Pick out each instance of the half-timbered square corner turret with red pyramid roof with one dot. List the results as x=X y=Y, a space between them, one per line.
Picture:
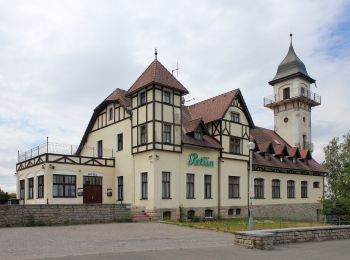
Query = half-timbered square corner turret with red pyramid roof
x=156 y=108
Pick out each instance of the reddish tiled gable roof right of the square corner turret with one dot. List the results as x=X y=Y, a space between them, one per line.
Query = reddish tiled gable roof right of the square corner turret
x=213 y=109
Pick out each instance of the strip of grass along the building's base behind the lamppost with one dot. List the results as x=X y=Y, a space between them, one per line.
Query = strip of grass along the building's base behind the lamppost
x=232 y=225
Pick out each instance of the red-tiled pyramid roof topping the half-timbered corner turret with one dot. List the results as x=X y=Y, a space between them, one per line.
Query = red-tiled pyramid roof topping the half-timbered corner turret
x=158 y=74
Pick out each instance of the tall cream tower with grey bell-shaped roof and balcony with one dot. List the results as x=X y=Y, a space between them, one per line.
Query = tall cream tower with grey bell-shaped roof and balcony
x=292 y=101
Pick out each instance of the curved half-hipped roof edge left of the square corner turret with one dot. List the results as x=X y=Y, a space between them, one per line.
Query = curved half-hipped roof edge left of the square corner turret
x=118 y=95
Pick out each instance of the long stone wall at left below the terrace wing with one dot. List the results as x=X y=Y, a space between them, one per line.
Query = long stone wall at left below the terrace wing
x=30 y=215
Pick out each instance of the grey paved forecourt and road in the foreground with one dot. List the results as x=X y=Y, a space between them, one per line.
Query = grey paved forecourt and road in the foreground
x=147 y=241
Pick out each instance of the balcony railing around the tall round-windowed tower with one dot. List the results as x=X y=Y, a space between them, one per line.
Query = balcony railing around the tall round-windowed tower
x=300 y=93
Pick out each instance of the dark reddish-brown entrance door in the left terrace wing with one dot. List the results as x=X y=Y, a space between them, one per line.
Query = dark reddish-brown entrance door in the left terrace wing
x=92 y=189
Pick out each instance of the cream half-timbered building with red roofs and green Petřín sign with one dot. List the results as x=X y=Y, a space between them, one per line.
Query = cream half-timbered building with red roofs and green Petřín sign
x=144 y=147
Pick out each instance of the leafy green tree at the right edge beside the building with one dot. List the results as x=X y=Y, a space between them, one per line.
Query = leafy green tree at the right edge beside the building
x=337 y=163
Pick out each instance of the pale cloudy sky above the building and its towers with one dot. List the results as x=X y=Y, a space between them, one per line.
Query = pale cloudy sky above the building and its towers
x=60 y=59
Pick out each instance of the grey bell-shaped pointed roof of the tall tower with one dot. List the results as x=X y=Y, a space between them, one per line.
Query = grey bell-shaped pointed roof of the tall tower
x=290 y=67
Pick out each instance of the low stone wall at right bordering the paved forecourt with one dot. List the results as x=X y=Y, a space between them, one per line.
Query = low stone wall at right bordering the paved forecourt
x=265 y=239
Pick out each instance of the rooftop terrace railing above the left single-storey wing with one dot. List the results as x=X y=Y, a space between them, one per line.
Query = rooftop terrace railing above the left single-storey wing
x=63 y=149
